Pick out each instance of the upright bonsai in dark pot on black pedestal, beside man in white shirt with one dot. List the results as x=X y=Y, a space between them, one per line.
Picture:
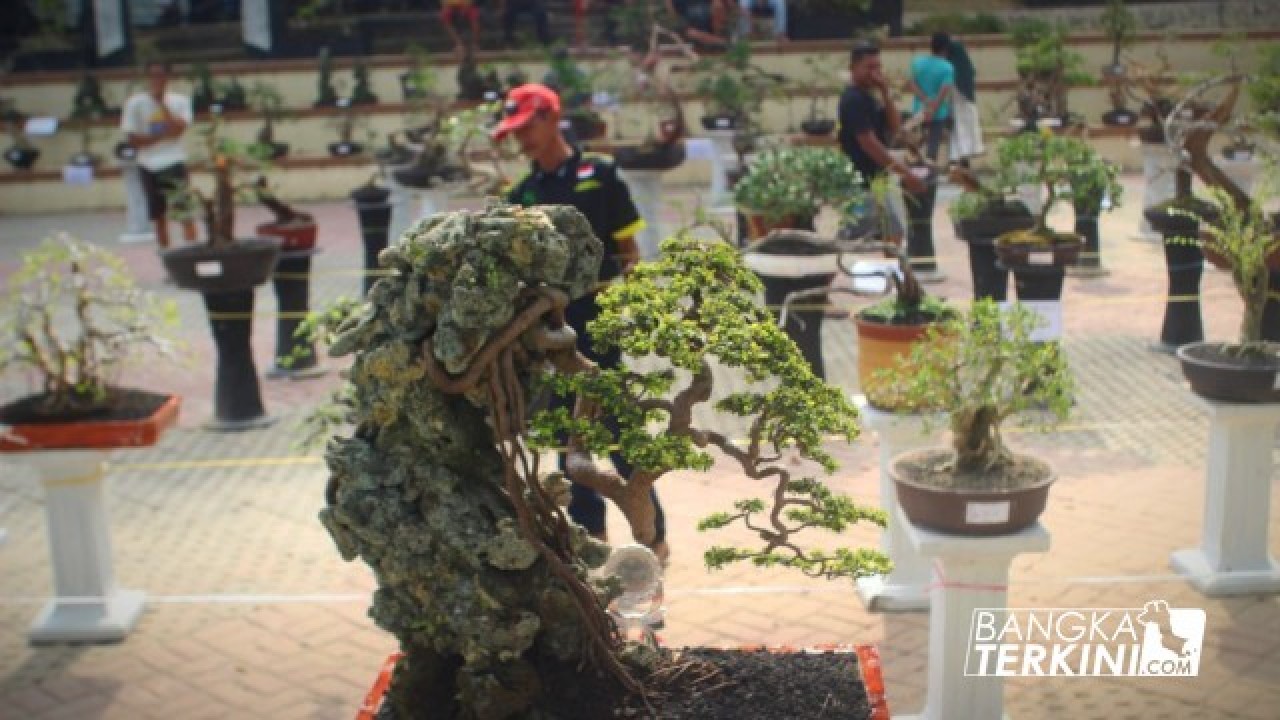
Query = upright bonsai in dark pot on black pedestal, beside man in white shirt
x=225 y=271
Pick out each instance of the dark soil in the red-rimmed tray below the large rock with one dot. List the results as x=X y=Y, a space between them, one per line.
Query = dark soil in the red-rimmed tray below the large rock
x=712 y=685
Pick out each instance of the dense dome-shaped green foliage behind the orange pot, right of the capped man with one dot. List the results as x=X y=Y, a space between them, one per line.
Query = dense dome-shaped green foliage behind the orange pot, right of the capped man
x=797 y=183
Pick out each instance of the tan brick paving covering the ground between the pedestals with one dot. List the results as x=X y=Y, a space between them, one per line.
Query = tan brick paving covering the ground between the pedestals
x=253 y=613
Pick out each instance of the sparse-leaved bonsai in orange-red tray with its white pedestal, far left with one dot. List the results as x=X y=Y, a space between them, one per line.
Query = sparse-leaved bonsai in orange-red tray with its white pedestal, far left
x=71 y=323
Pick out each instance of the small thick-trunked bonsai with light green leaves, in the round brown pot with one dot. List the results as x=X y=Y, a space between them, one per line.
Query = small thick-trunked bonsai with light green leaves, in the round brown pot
x=984 y=368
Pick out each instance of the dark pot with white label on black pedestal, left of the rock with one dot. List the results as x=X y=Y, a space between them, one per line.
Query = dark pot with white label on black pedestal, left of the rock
x=222 y=268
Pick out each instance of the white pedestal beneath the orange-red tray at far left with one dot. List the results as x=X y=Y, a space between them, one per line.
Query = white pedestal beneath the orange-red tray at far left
x=88 y=605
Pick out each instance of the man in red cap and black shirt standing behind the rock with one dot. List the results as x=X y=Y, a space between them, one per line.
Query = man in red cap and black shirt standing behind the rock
x=563 y=175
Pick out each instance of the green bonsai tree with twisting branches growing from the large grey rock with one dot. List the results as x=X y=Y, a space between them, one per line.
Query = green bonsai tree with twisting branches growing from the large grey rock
x=693 y=307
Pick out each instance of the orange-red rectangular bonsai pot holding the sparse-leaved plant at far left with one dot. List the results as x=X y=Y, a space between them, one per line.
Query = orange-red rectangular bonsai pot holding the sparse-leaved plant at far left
x=136 y=420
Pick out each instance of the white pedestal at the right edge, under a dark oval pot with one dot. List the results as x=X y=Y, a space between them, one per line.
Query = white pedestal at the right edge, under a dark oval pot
x=1233 y=557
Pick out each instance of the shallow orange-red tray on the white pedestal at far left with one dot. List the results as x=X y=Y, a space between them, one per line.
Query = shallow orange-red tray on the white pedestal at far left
x=95 y=434
